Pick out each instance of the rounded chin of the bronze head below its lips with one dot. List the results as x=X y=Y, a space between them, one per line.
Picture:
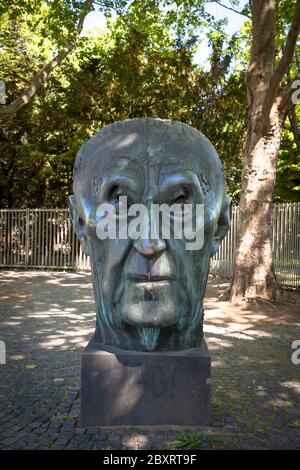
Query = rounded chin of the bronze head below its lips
x=149 y=304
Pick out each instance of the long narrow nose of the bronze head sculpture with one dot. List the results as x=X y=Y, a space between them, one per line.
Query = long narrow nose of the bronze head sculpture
x=149 y=244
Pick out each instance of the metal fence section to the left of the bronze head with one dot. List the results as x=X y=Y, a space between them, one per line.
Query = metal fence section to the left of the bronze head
x=39 y=238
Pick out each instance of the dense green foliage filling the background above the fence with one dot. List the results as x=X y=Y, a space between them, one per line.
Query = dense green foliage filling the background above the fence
x=141 y=65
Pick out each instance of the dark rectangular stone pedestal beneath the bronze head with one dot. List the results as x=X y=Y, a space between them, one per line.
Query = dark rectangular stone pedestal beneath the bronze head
x=139 y=388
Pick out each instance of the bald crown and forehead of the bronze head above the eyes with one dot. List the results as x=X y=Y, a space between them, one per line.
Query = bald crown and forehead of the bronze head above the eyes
x=149 y=151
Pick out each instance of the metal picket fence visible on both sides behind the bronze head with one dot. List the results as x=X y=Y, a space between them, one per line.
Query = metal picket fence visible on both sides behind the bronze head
x=44 y=238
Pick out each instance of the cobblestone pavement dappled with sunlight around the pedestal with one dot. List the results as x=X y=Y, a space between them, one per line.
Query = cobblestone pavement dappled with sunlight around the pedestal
x=46 y=320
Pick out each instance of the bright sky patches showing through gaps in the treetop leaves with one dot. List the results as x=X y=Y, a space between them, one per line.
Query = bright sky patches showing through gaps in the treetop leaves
x=96 y=20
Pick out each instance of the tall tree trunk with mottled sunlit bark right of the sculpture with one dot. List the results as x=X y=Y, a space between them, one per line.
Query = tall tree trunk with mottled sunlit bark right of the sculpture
x=269 y=102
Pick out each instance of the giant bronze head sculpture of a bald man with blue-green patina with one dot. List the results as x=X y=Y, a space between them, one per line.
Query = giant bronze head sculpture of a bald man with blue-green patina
x=149 y=291
